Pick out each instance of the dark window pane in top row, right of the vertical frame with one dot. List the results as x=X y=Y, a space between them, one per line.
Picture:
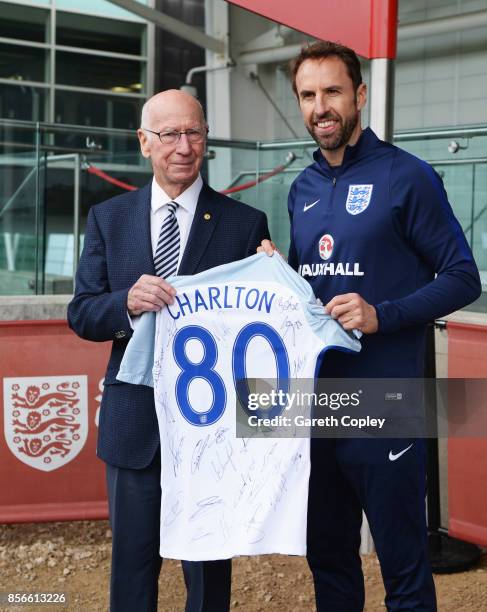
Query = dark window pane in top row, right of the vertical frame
x=98 y=33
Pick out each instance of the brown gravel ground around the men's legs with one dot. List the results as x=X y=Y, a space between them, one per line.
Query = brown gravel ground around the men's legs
x=75 y=557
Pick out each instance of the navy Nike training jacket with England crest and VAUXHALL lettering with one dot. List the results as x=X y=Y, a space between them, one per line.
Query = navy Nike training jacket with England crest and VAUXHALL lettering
x=381 y=225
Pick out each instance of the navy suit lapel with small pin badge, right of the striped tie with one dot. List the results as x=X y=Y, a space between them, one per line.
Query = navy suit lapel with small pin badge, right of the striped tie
x=205 y=220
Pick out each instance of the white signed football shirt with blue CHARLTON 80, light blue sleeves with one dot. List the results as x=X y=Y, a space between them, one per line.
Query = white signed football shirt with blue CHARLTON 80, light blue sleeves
x=224 y=496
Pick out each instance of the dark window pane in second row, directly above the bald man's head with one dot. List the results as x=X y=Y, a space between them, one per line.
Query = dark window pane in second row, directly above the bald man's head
x=98 y=72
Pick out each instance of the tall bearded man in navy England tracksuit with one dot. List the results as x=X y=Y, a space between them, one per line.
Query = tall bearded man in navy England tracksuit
x=370 y=227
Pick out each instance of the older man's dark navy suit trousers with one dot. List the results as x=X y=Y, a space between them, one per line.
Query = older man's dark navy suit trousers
x=134 y=499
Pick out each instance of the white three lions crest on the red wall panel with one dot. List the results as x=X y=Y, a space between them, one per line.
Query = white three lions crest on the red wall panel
x=45 y=419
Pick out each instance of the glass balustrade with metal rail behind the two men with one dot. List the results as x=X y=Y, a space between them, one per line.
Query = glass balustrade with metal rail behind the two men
x=39 y=160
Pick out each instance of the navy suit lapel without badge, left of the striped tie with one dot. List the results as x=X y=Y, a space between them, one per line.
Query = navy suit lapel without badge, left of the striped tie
x=141 y=231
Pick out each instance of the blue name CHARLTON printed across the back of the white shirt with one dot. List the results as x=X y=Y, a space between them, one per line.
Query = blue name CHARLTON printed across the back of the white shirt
x=212 y=298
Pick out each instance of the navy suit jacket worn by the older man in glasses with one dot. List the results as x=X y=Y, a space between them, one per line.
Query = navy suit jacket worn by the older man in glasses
x=117 y=251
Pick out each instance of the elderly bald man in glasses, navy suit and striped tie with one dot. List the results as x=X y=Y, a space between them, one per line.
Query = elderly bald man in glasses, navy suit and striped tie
x=132 y=242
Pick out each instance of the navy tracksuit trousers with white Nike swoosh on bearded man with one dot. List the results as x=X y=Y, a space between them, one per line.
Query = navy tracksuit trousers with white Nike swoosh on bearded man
x=346 y=476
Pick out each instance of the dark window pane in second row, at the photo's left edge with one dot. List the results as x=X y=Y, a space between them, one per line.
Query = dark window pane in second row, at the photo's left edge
x=22 y=63
